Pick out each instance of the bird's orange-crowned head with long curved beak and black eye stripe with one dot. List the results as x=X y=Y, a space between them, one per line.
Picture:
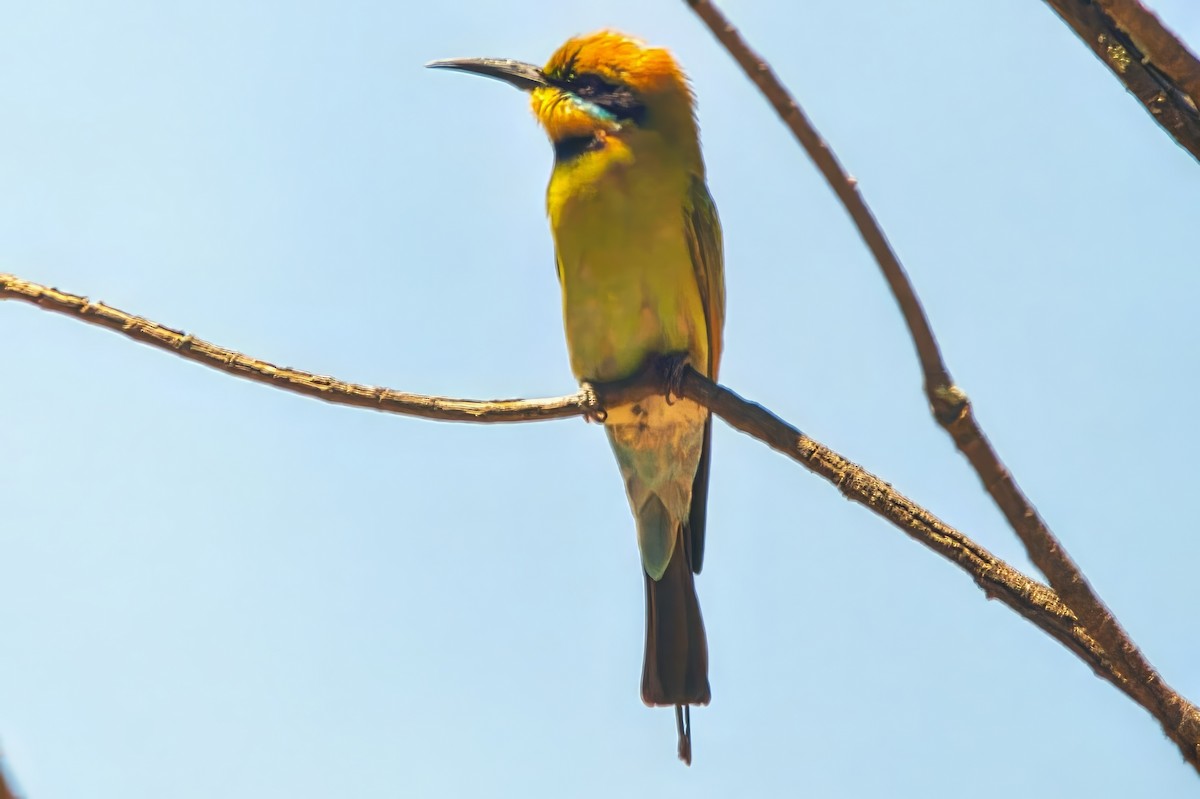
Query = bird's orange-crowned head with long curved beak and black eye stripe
x=599 y=86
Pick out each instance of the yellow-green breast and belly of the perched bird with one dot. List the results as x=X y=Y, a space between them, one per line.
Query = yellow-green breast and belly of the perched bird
x=629 y=286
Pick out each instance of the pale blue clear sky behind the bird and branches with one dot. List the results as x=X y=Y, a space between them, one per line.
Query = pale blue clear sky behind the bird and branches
x=212 y=588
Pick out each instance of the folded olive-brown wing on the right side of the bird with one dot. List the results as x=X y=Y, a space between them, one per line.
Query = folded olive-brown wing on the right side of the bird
x=704 y=232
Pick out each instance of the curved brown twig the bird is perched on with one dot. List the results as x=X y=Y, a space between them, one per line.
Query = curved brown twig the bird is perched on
x=1000 y=581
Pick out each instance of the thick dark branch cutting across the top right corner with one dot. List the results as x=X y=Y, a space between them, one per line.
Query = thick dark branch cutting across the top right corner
x=1147 y=58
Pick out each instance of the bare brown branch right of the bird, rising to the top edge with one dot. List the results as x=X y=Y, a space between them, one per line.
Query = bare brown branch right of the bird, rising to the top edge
x=952 y=410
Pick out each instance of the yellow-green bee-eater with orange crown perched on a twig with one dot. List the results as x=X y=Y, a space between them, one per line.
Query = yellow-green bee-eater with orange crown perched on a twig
x=639 y=251
